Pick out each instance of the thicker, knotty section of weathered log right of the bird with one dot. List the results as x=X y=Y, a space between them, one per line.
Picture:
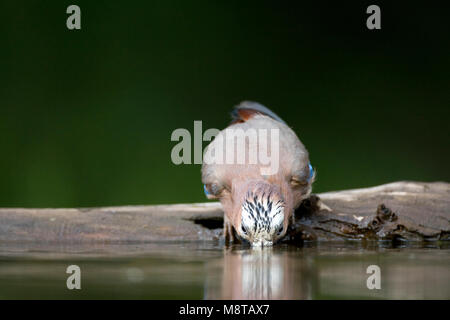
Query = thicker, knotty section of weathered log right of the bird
x=395 y=211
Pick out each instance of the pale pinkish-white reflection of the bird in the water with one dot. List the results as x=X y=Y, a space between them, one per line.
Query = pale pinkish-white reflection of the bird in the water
x=260 y=274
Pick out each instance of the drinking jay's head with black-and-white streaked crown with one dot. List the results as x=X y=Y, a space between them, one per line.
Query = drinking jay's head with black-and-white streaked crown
x=261 y=218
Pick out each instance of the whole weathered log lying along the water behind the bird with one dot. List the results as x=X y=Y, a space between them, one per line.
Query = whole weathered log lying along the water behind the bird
x=396 y=211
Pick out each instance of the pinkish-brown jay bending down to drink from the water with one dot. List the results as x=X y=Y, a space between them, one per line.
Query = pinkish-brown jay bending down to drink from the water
x=258 y=205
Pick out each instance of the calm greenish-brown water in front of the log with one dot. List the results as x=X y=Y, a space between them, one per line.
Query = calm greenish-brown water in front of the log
x=210 y=271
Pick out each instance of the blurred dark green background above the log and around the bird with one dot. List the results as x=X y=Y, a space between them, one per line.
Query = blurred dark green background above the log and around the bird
x=86 y=116
